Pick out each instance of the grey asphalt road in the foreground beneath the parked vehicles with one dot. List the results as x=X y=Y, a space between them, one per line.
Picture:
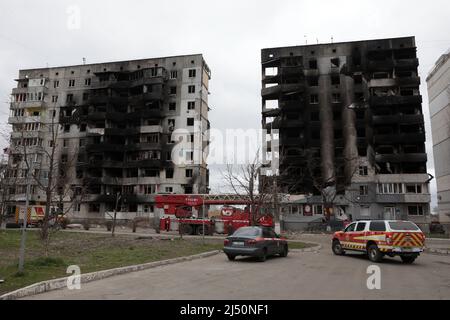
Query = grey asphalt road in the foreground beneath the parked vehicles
x=302 y=275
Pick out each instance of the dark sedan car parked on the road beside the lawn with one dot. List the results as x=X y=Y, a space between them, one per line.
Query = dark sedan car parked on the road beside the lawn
x=259 y=242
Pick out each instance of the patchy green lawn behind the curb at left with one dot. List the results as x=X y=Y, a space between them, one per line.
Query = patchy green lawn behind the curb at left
x=91 y=252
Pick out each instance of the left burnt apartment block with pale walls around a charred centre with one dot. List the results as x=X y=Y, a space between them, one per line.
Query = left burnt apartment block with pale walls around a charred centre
x=116 y=133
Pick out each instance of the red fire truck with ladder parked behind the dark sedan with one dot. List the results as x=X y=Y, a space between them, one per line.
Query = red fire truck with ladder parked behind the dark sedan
x=175 y=211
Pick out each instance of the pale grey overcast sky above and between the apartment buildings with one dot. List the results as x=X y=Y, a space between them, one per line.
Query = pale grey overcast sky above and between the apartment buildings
x=228 y=33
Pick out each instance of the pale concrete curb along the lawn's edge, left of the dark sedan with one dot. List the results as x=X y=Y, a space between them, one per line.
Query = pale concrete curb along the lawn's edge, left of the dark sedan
x=60 y=283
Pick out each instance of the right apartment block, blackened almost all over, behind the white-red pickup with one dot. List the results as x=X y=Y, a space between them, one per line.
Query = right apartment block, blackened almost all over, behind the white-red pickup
x=347 y=118
